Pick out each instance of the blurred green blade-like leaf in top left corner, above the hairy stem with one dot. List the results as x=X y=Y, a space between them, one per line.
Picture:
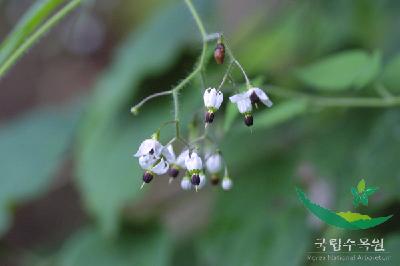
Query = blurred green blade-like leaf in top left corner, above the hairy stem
x=37 y=13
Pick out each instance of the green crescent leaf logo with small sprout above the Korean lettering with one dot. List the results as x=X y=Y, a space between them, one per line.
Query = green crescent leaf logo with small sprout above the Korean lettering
x=346 y=220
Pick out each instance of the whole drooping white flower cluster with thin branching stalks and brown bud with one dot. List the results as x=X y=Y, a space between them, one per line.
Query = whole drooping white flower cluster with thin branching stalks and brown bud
x=195 y=164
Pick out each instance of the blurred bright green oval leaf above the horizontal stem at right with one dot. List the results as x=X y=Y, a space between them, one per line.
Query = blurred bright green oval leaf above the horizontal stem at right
x=342 y=71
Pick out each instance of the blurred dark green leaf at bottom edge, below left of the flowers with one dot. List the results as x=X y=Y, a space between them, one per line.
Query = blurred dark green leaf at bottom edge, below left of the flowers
x=147 y=247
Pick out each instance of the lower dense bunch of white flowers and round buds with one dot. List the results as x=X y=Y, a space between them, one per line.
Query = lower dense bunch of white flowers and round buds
x=156 y=159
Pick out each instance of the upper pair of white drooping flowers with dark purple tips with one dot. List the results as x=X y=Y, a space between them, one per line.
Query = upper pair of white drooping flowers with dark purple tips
x=213 y=99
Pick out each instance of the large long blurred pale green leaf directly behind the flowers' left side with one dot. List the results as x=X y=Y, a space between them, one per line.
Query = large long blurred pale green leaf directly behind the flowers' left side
x=107 y=174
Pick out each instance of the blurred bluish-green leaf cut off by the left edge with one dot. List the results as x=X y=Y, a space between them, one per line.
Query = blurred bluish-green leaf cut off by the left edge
x=31 y=150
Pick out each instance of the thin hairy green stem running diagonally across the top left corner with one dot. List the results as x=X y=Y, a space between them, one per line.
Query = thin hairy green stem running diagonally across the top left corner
x=41 y=31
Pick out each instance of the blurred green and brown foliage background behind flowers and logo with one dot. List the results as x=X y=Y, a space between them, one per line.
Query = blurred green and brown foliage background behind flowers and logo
x=69 y=187
